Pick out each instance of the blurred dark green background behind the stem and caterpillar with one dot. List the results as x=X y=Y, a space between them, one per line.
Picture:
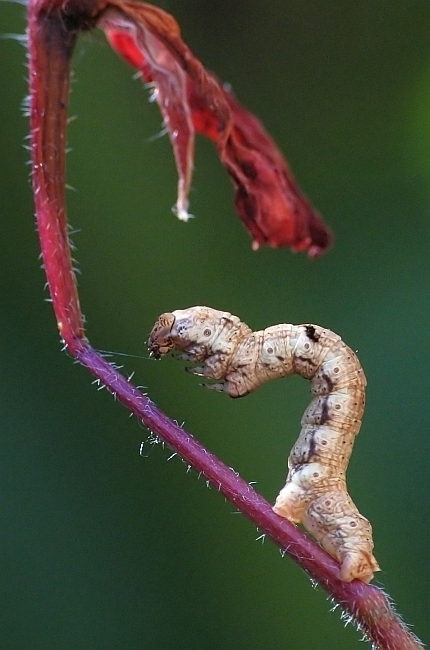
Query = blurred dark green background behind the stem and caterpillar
x=102 y=548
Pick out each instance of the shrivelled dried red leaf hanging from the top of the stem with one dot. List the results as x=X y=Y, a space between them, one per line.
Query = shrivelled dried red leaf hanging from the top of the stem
x=192 y=100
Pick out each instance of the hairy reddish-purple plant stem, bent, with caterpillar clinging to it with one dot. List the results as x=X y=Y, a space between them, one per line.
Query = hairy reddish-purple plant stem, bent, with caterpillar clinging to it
x=52 y=32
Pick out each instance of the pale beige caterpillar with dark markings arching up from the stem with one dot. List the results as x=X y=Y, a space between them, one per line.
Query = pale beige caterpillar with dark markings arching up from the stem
x=240 y=360
